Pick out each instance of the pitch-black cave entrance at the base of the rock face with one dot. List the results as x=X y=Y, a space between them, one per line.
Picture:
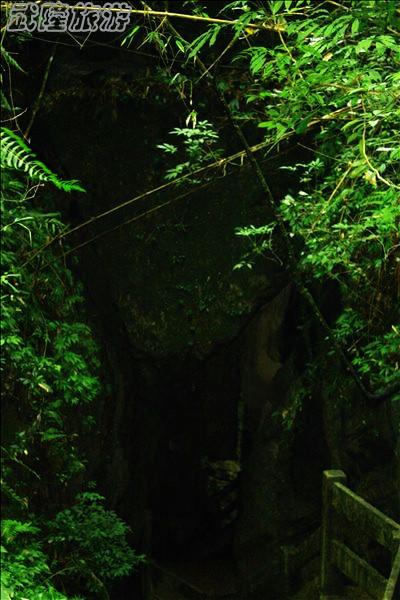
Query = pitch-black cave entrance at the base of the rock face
x=194 y=496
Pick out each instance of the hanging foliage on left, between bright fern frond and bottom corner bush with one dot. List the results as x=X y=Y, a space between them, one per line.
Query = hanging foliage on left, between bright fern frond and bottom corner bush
x=49 y=360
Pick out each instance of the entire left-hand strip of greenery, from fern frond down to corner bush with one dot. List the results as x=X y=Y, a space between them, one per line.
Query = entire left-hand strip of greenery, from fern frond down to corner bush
x=50 y=368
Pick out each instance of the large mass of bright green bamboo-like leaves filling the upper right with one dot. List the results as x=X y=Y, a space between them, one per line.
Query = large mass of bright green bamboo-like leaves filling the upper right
x=325 y=77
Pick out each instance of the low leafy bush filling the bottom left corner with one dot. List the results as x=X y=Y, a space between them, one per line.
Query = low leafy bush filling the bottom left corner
x=84 y=545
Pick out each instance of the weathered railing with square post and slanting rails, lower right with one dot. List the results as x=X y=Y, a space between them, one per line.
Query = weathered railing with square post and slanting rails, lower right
x=336 y=555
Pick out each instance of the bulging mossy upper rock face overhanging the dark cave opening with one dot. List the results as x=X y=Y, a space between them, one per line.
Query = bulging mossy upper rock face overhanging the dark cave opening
x=162 y=285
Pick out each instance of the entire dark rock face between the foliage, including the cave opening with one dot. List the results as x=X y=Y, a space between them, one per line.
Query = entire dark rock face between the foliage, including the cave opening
x=202 y=360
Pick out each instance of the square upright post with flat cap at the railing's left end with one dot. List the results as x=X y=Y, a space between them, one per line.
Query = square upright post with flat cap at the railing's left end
x=327 y=578
